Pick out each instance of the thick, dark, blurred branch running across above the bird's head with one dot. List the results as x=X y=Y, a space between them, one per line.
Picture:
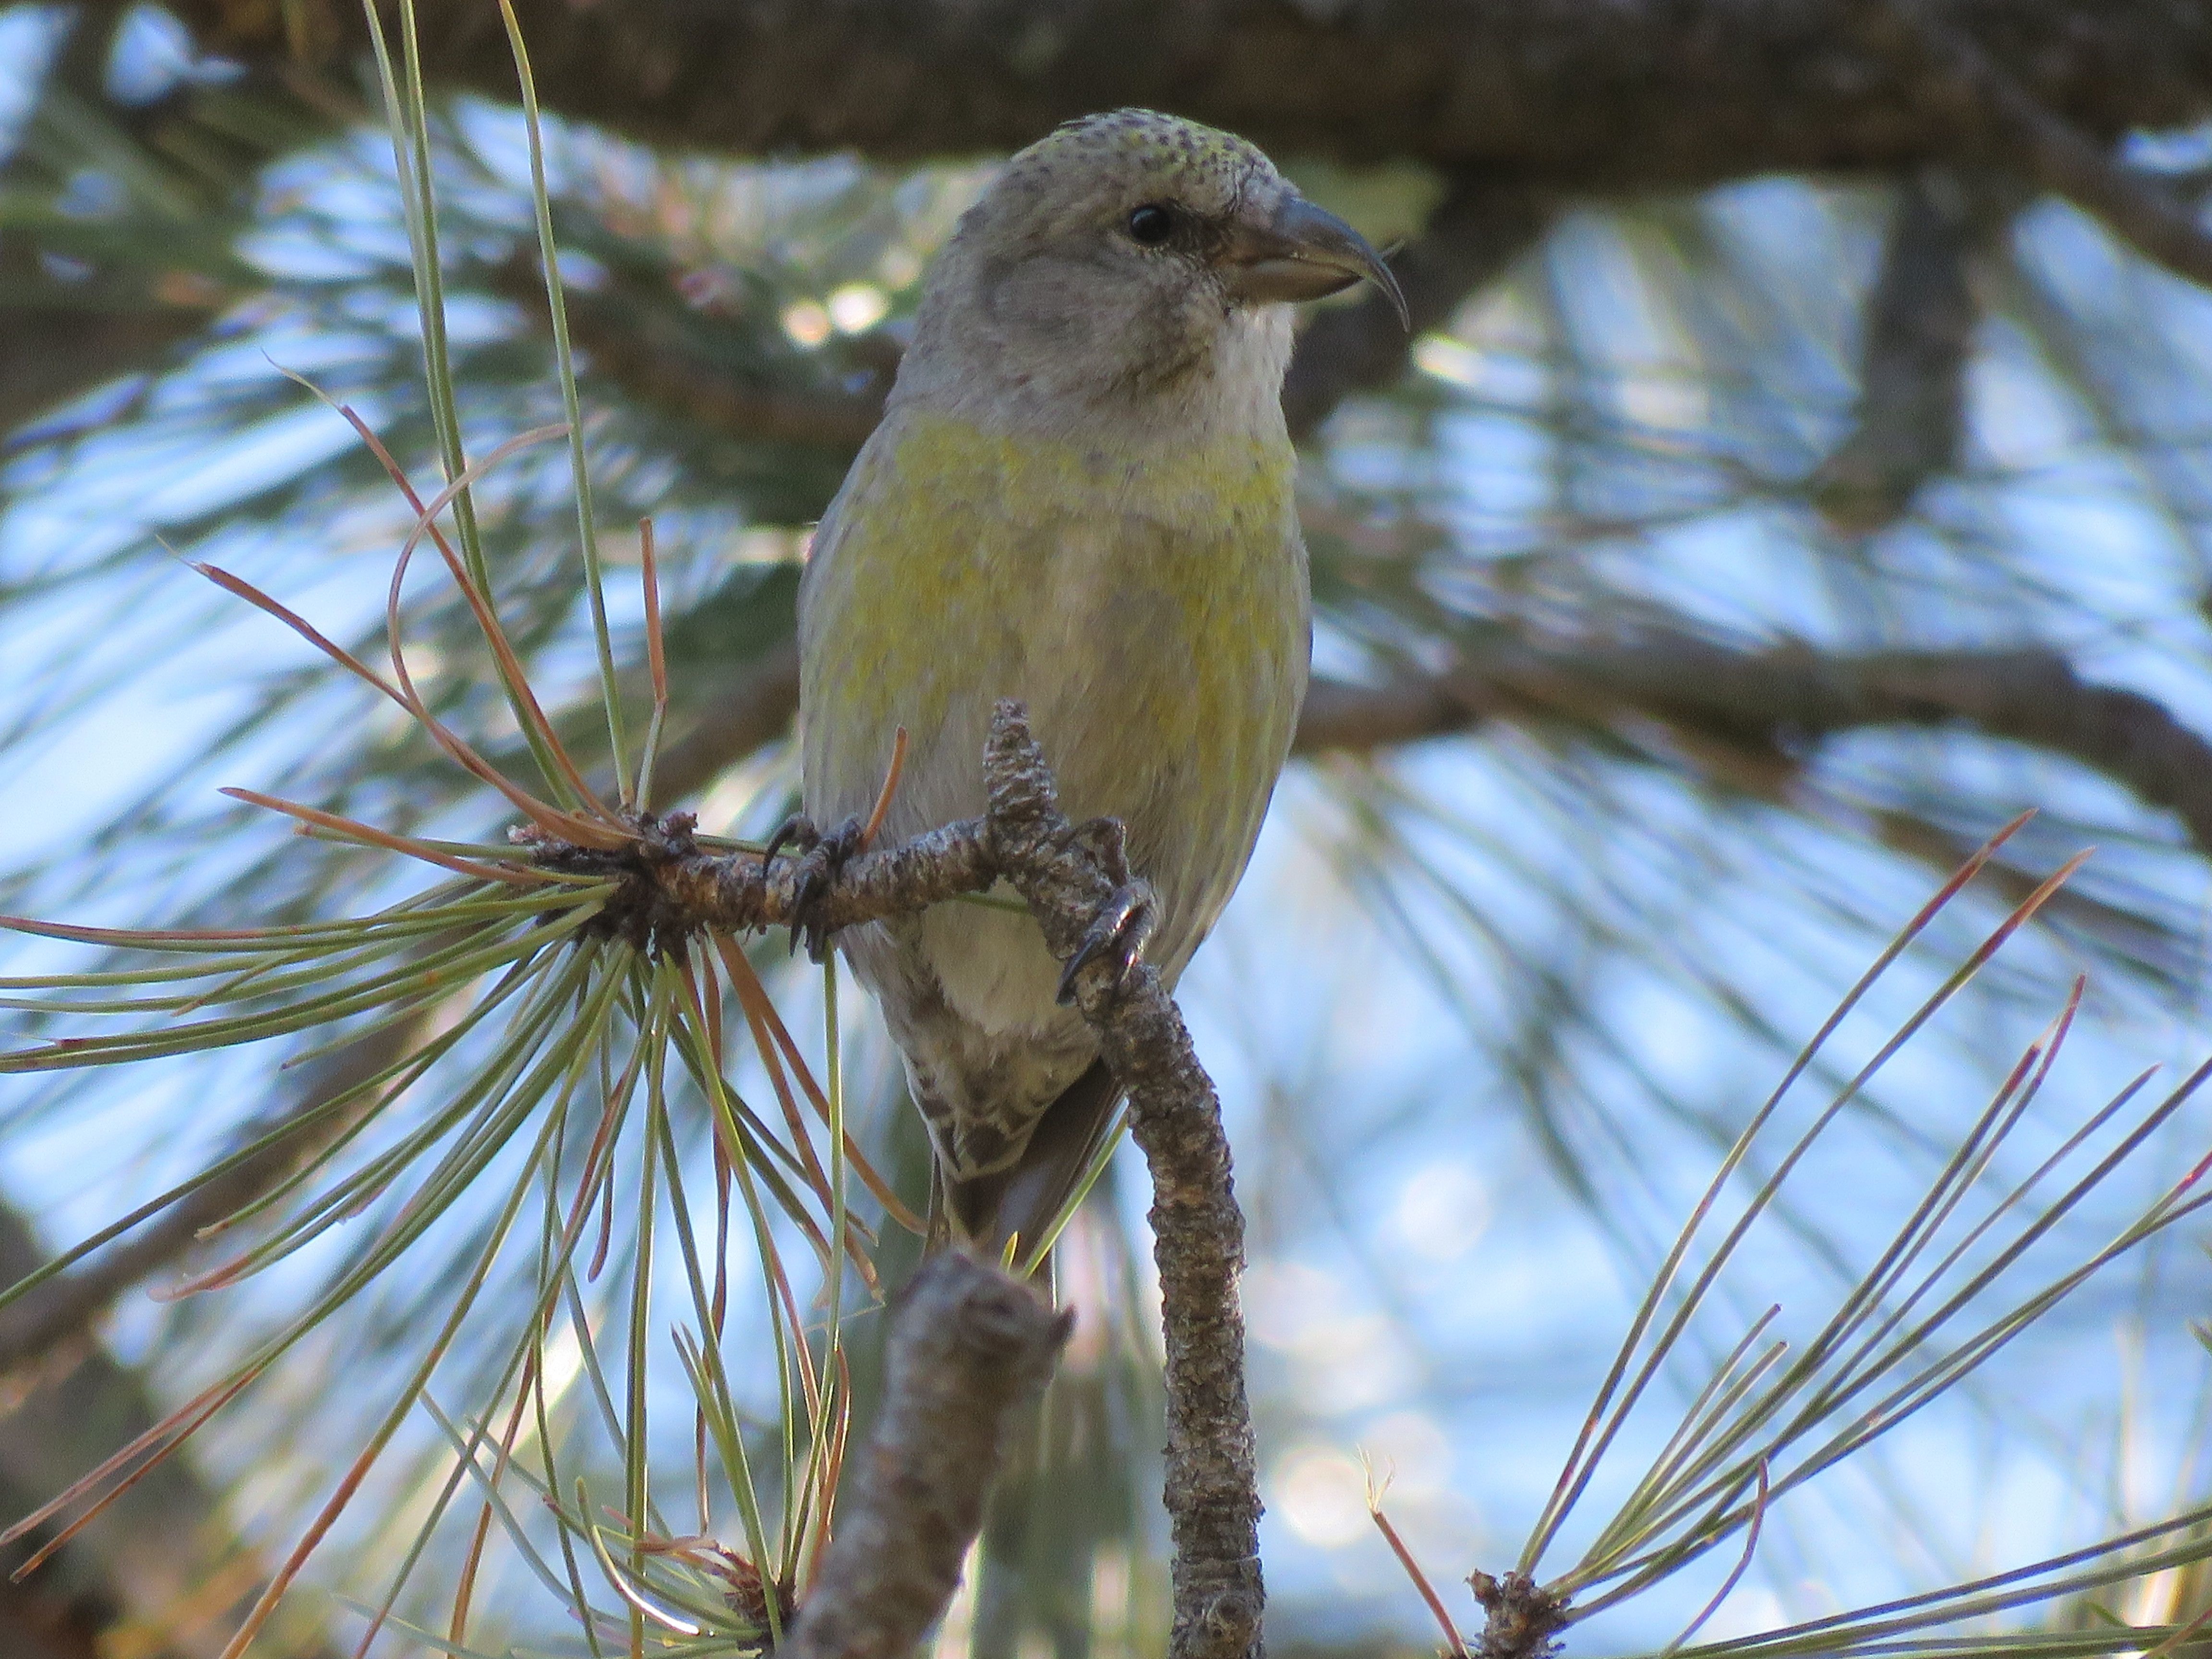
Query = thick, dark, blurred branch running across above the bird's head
x=1638 y=92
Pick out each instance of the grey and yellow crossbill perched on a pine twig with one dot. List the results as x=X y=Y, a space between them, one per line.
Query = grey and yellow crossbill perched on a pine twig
x=1081 y=497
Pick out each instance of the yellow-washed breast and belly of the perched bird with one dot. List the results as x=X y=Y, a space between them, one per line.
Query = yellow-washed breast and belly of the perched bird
x=1147 y=601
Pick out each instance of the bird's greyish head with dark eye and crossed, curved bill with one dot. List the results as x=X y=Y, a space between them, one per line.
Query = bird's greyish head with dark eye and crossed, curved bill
x=1125 y=258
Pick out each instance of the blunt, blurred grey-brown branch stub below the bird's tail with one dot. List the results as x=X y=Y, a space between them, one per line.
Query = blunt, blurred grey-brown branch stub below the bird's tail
x=968 y=1348
